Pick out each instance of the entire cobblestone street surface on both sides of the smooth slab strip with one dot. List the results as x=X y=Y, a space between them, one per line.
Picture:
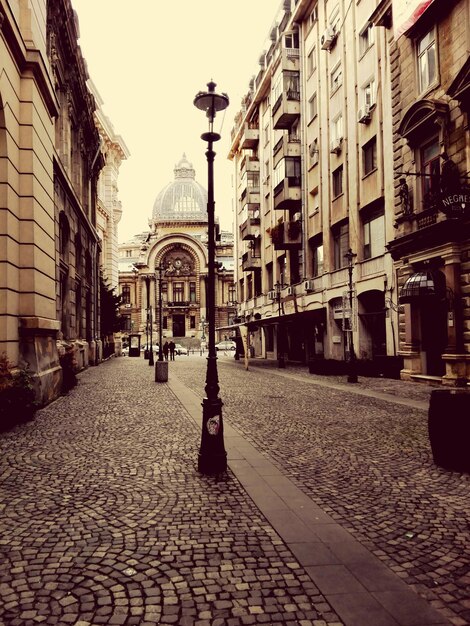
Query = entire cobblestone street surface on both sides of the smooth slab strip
x=105 y=519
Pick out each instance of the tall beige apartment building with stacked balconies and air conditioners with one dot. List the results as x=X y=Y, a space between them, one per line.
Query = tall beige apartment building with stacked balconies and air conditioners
x=315 y=190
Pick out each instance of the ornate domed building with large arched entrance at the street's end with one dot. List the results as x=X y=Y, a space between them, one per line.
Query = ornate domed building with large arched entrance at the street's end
x=173 y=255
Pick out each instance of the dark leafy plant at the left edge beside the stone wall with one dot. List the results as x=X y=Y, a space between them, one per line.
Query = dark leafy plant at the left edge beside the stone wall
x=17 y=396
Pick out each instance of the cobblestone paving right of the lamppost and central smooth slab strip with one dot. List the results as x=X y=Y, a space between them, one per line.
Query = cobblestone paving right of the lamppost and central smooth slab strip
x=365 y=461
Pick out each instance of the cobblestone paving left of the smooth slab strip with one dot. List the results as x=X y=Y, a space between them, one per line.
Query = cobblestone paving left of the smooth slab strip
x=105 y=520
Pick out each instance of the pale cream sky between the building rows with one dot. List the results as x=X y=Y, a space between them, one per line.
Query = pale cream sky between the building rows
x=148 y=59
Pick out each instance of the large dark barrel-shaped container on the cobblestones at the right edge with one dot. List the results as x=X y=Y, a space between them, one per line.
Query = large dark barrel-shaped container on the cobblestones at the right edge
x=449 y=428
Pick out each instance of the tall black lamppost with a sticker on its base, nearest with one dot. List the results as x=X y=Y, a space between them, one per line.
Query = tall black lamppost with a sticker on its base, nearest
x=212 y=455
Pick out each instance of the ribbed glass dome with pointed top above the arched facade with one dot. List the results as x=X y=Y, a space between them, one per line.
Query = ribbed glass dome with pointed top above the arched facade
x=184 y=199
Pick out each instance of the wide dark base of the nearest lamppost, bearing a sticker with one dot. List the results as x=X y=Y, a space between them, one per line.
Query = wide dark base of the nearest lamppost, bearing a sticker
x=212 y=457
